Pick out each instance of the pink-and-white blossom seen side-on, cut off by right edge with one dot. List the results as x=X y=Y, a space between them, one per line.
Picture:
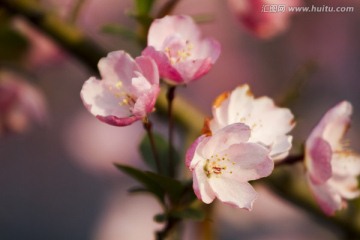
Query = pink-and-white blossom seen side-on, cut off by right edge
x=331 y=167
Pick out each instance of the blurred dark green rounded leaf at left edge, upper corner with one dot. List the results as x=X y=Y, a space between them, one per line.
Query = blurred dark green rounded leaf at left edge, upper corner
x=13 y=45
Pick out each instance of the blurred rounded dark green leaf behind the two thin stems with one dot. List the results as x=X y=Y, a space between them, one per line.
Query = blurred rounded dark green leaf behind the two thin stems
x=163 y=152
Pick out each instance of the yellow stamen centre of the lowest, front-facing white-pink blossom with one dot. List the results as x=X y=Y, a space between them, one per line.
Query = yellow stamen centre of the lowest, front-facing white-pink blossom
x=216 y=165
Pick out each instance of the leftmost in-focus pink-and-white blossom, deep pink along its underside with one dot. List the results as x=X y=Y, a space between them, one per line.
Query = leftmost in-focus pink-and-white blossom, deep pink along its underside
x=127 y=91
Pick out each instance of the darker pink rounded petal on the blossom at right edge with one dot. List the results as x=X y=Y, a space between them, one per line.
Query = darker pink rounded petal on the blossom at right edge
x=318 y=160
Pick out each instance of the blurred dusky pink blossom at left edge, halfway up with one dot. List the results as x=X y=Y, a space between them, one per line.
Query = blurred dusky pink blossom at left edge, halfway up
x=20 y=103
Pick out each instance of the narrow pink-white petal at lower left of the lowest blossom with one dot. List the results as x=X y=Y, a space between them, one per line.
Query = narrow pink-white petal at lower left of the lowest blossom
x=201 y=186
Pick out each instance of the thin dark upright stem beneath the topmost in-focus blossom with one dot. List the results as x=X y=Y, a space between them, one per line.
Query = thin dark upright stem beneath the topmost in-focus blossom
x=170 y=98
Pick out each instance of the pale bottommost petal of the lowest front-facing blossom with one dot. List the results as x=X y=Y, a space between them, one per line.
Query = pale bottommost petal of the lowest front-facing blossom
x=241 y=195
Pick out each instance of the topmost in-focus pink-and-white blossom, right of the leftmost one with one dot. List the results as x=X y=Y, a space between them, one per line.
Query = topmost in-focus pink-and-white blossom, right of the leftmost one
x=175 y=43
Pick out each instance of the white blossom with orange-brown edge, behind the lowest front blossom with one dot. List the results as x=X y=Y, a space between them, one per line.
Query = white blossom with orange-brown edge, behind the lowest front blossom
x=269 y=124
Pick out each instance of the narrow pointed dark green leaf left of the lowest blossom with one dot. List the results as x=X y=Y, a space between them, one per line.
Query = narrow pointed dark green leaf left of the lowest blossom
x=143 y=178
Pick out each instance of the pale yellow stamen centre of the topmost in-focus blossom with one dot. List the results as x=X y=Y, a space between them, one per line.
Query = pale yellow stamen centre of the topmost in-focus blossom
x=178 y=52
